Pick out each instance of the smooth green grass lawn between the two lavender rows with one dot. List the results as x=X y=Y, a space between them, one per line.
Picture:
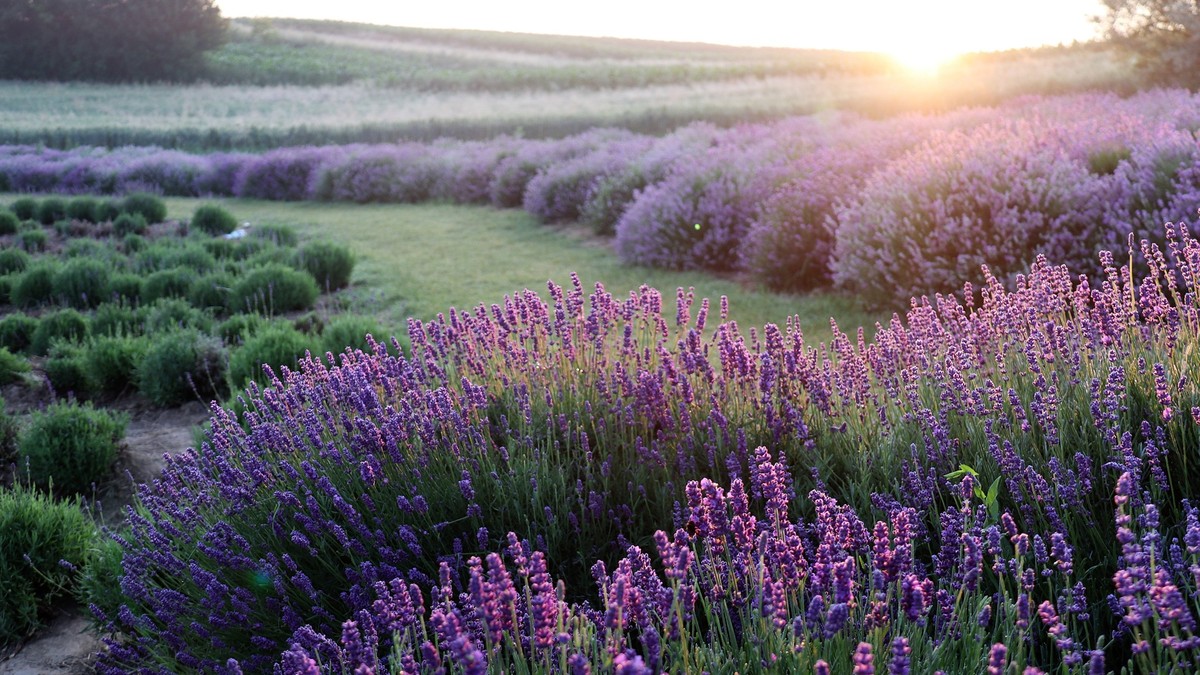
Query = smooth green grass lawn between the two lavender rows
x=422 y=260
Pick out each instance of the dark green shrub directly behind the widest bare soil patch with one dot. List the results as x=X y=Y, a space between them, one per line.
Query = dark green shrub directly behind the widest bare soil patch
x=182 y=366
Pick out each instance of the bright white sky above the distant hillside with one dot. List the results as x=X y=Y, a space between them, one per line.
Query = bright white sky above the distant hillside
x=909 y=29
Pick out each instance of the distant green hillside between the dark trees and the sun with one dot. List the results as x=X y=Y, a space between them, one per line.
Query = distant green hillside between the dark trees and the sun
x=321 y=52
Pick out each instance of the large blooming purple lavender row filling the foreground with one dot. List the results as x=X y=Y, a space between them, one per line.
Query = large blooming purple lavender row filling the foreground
x=590 y=483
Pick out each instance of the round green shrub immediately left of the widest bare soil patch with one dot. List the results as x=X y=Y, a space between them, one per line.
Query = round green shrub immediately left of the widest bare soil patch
x=71 y=446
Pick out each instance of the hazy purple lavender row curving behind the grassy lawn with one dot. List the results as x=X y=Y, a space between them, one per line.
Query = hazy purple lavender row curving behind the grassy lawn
x=889 y=210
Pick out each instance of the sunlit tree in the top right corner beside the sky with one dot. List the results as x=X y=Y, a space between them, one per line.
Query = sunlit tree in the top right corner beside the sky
x=1163 y=37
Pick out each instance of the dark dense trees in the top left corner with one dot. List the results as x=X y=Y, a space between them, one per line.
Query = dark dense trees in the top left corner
x=107 y=40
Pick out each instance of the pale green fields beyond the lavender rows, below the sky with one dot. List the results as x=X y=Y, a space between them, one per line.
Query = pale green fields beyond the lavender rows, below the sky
x=293 y=82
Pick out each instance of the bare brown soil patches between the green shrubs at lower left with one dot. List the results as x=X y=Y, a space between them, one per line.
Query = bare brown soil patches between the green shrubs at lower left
x=67 y=646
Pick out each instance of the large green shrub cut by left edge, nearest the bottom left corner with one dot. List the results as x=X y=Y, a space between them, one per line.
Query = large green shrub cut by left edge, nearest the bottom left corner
x=39 y=533
